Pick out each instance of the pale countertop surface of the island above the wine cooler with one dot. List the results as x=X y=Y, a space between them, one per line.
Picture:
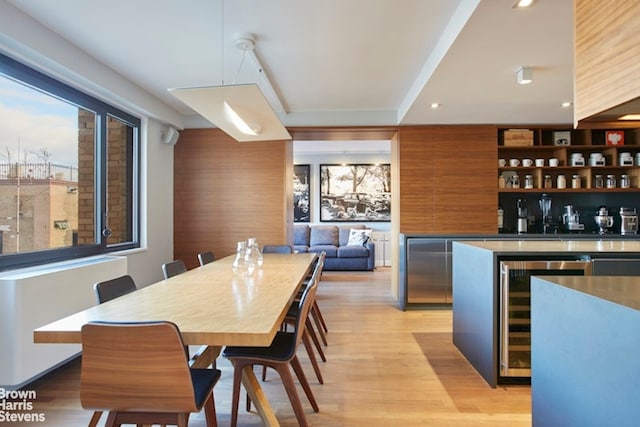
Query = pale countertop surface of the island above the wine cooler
x=580 y=246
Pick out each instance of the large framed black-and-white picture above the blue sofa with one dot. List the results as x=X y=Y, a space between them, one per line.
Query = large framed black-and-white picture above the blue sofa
x=355 y=192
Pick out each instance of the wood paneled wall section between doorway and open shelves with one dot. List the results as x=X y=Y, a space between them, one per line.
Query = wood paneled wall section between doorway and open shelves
x=448 y=179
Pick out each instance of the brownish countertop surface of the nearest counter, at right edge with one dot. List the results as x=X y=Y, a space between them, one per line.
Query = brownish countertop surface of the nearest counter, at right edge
x=622 y=290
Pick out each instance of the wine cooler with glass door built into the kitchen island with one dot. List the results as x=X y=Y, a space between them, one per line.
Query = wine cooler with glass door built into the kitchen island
x=515 y=316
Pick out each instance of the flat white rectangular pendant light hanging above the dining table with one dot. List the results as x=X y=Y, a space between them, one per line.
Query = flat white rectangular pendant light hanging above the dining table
x=241 y=111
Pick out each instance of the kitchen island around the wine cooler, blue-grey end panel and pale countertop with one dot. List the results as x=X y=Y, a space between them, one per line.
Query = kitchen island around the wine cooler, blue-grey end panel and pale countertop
x=476 y=287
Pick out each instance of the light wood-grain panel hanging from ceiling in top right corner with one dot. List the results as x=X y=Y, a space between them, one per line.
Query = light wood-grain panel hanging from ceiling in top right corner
x=607 y=48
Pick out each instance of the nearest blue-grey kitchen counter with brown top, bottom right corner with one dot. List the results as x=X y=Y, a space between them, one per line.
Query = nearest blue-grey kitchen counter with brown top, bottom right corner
x=585 y=369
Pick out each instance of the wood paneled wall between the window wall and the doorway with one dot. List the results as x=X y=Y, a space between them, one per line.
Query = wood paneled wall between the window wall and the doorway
x=226 y=191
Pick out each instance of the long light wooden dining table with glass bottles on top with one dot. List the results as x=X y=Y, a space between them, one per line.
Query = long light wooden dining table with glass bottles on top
x=211 y=305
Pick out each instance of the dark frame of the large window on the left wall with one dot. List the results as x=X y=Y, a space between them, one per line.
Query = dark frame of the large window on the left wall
x=39 y=81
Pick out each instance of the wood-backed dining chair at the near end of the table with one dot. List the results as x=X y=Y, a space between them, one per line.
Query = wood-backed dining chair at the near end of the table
x=139 y=373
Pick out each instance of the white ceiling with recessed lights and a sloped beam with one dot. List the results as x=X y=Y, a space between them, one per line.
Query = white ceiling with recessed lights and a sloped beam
x=339 y=62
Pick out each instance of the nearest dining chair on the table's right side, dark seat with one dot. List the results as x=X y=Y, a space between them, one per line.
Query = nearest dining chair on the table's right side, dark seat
x=281 y=356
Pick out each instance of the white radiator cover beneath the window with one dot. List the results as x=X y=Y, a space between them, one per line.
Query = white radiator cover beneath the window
x=32 y=297
